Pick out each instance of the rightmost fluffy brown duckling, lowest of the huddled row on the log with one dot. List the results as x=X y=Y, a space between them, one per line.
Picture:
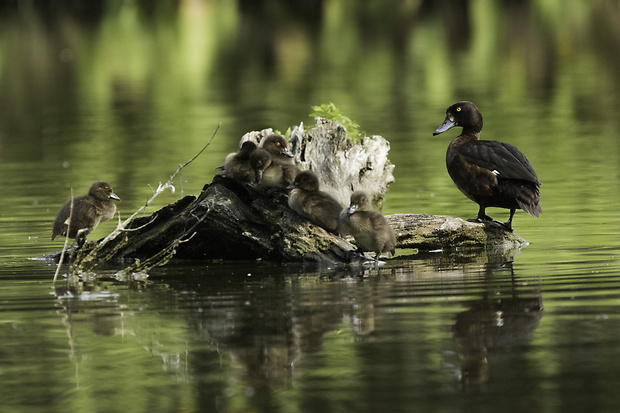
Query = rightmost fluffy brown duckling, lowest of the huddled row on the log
x=369 y=228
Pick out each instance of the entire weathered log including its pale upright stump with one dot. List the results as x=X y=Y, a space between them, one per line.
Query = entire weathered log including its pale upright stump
x=233 y=221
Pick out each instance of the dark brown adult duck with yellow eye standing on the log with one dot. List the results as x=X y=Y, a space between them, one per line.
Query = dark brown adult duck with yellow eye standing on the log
x=490 y=173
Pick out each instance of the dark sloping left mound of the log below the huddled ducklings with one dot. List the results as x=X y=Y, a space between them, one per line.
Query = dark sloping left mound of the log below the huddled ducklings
x=227 y=221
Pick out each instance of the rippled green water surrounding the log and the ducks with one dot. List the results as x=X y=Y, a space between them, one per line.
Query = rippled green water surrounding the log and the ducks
x=127 y=91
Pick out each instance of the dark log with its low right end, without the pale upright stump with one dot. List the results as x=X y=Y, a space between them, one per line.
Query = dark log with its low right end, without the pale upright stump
x=230 y=221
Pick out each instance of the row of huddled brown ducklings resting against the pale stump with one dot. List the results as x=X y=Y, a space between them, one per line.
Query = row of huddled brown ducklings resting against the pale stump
x=271 y=164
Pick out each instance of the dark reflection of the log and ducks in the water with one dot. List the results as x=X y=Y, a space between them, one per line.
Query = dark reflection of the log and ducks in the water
x=266 y=328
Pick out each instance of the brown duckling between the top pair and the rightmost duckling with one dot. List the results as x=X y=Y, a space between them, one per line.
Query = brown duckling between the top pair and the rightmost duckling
x=308 y=201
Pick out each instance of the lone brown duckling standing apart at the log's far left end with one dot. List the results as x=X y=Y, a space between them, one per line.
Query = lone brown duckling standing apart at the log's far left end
x=88 y=211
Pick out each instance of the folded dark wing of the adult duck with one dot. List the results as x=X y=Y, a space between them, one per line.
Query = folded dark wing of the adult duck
x=502 y=159
